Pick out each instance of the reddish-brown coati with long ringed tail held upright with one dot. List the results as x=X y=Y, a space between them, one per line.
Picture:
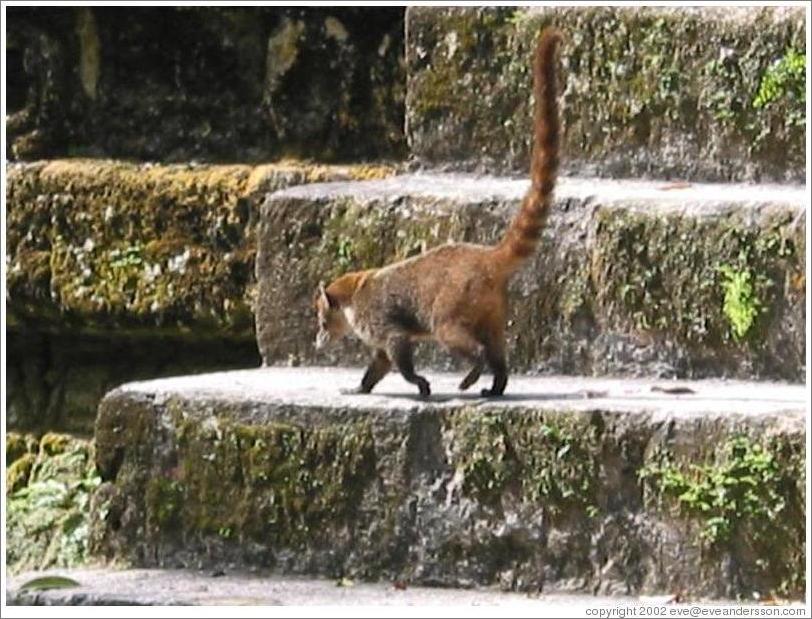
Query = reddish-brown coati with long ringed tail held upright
x=455 y=294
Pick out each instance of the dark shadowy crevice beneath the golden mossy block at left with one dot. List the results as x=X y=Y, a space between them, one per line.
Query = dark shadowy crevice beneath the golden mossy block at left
x=55 y=379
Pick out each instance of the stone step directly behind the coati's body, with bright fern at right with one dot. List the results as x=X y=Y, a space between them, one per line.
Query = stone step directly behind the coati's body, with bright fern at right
x=631 y=277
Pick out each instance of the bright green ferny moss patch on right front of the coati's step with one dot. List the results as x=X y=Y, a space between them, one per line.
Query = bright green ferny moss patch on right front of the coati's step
x=746 y=498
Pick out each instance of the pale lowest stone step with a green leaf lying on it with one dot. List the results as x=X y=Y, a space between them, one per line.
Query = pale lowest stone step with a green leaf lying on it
x=157 y=587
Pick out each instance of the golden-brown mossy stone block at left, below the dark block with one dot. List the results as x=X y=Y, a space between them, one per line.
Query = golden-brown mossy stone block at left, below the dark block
x=106 y=244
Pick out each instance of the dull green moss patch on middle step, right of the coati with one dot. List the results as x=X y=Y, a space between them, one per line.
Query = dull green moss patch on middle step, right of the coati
x=674 y=284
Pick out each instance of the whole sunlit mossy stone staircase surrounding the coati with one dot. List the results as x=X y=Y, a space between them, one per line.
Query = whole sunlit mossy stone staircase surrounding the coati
x=652 y=437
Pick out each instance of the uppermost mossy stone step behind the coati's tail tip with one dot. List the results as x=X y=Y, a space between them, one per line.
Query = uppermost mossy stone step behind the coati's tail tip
x=705 y=93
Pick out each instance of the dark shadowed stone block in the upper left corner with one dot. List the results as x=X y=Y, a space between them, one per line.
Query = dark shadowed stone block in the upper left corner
x=206 y=83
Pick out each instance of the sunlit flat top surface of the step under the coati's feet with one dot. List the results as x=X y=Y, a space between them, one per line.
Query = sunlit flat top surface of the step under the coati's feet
x=277 y=389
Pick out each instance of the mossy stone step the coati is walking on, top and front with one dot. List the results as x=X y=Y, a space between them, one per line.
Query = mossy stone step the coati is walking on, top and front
x=607 y=486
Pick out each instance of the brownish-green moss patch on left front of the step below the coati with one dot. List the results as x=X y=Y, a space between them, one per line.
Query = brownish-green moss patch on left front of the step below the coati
x=271 y=482
